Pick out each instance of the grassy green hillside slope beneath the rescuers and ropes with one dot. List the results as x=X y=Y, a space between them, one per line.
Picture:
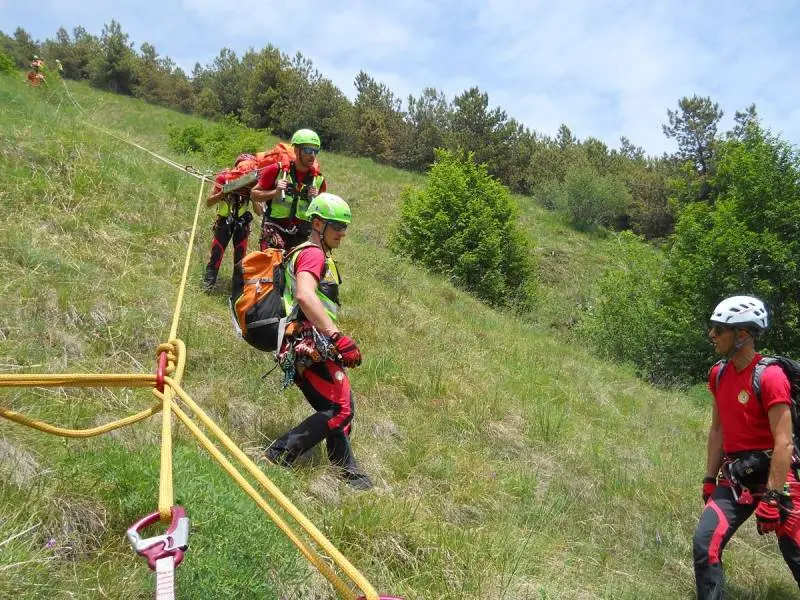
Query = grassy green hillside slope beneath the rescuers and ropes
x=512 y=463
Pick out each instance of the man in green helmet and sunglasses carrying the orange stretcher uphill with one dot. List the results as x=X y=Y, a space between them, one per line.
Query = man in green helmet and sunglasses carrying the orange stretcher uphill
x=284 y=191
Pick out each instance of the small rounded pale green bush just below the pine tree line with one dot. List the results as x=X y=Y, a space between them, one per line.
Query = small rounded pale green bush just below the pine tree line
x=593 y=201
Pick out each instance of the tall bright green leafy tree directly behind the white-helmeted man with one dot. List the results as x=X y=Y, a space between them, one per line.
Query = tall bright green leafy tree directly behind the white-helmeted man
x=747 y=242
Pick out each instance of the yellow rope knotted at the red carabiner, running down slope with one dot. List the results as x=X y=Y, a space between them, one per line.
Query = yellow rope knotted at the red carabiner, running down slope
x=172 y=356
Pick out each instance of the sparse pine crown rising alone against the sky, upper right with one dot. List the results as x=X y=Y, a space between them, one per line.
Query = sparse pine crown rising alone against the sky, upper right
x=694 y=127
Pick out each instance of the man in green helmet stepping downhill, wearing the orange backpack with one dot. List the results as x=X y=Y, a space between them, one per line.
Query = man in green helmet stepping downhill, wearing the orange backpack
x=315 y=353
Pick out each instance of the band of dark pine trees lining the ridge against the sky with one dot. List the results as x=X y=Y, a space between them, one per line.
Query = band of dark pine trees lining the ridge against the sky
x=267 y=89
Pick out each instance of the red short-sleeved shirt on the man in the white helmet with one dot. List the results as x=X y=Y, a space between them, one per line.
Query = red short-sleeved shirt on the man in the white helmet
x=744 y=420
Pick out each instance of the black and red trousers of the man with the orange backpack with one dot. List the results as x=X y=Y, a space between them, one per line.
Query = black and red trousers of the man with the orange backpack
x=326 y=387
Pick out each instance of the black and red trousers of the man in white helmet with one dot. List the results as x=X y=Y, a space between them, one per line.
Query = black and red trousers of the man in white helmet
x=720 y=519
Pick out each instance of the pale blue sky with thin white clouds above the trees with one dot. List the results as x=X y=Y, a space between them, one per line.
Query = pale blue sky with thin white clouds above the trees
x=605 y=68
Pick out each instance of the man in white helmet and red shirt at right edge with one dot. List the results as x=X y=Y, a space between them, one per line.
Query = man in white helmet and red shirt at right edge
x=751 y=460
